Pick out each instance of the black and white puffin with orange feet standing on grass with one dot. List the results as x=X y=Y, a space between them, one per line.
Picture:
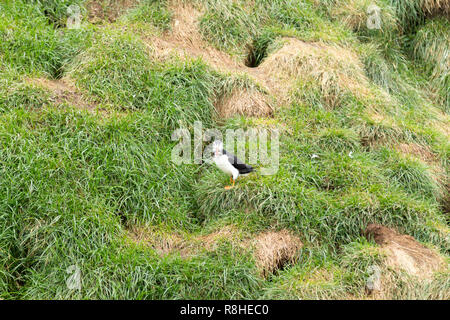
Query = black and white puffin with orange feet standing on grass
x=229 y=163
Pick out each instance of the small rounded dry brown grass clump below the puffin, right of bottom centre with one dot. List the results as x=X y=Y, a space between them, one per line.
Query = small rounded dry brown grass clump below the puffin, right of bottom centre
x=274 y=250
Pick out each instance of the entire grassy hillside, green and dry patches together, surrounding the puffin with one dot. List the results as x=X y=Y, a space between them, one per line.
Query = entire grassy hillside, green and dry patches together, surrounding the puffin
x=86 y=177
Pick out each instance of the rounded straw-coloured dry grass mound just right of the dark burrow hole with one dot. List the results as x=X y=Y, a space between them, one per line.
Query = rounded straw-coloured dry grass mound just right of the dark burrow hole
x=334 y=68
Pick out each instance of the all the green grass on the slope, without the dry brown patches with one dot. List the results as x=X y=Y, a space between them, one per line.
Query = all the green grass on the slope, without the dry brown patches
x=72 y=180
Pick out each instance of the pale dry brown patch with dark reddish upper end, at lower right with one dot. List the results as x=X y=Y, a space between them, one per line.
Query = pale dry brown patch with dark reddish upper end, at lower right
x=404 y=253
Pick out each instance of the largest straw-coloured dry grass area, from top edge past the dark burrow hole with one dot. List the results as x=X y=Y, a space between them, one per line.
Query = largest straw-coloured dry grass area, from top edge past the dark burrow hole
x=335 y=68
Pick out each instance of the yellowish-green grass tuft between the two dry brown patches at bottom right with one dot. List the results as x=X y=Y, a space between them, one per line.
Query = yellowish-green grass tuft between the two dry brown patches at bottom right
x=320 y=276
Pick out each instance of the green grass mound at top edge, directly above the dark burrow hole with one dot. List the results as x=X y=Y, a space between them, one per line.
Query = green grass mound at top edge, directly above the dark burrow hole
x=234 y=27
